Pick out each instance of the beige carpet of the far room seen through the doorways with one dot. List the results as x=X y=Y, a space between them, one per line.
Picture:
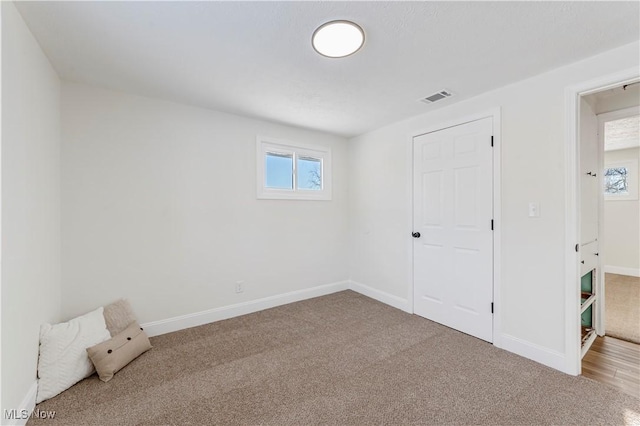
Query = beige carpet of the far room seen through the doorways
x=622 y=307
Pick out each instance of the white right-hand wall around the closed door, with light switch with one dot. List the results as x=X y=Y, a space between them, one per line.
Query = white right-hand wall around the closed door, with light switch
x=533 y=249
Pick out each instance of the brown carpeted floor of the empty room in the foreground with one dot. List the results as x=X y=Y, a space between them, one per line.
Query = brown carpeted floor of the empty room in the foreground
x=337 y=359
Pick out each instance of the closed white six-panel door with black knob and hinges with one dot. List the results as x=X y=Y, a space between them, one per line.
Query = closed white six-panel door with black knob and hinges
x=453 y=236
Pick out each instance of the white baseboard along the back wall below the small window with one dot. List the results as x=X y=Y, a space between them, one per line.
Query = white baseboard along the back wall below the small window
x=156 y=328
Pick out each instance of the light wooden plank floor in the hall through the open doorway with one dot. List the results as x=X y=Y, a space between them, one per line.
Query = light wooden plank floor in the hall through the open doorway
x=614 y=362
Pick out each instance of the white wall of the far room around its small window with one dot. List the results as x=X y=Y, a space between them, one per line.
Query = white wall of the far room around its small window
x=622 y=223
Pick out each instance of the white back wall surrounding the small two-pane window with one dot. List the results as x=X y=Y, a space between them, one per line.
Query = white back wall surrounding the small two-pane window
x=159 y=206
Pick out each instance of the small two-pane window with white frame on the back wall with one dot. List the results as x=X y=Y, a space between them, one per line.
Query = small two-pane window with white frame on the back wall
x=292 y=171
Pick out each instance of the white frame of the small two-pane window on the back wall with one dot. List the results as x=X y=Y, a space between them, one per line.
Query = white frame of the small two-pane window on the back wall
x=265 y=145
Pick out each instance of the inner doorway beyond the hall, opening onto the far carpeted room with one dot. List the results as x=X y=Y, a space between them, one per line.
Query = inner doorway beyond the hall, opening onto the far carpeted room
x=619 y=121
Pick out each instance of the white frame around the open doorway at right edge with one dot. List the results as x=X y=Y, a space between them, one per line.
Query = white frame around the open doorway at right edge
x=573 y=360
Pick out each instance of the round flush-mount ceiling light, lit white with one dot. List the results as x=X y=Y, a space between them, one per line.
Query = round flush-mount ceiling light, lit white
x=337 y=39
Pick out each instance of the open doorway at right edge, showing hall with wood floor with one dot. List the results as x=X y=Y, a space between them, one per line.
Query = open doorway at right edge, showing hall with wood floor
x=610 y=235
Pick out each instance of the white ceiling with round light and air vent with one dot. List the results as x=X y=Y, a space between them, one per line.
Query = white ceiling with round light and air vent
x=256 y=59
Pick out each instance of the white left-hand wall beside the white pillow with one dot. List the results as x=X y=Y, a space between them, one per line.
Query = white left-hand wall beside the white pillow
x=30 y=203
